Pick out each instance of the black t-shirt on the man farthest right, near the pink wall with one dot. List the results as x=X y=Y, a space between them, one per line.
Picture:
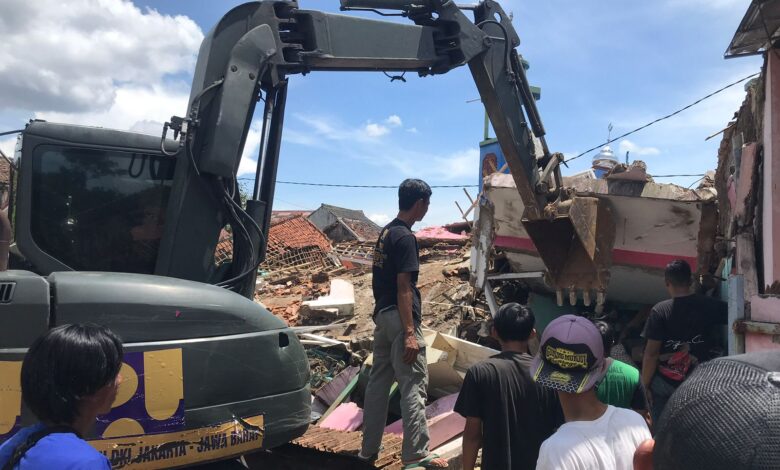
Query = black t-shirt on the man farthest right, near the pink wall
x=687 y=320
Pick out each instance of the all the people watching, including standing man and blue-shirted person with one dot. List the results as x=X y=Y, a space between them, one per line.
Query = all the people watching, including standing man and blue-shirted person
x=569 y=407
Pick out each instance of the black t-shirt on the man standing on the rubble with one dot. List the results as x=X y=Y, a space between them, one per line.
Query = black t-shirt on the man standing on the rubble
x=395 y=252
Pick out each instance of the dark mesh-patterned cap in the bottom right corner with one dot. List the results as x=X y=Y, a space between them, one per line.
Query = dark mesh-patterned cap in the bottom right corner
x=726 y=415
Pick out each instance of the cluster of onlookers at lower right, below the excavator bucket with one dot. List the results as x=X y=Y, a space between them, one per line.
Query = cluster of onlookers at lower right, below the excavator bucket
x=704 y=412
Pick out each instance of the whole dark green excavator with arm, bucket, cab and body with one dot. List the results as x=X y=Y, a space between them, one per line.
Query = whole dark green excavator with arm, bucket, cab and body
x=119 y=228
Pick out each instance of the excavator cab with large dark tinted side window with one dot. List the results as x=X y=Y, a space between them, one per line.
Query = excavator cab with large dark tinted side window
x=87 y=206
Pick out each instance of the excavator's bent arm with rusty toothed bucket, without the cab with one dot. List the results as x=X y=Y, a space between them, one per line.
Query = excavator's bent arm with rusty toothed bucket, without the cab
x=252 y=52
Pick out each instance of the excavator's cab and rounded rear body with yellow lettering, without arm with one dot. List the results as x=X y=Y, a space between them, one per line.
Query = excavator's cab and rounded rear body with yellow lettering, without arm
x=203 y=366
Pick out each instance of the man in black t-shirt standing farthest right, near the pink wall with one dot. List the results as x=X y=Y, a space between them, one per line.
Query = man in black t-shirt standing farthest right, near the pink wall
x=680 y=334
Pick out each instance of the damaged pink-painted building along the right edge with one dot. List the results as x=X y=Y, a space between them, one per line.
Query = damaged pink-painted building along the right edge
x=749 y=173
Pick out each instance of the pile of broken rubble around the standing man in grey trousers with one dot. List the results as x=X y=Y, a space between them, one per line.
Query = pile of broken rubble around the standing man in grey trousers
x=332 y=309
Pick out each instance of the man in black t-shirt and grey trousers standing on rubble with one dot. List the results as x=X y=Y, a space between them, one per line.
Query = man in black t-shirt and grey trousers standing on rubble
x=399 y=347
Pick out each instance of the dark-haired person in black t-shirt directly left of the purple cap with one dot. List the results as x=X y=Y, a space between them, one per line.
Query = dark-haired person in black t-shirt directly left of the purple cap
x=507 y=414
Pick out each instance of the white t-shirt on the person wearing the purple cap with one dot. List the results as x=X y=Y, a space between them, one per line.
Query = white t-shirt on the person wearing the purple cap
x=607 y=443
